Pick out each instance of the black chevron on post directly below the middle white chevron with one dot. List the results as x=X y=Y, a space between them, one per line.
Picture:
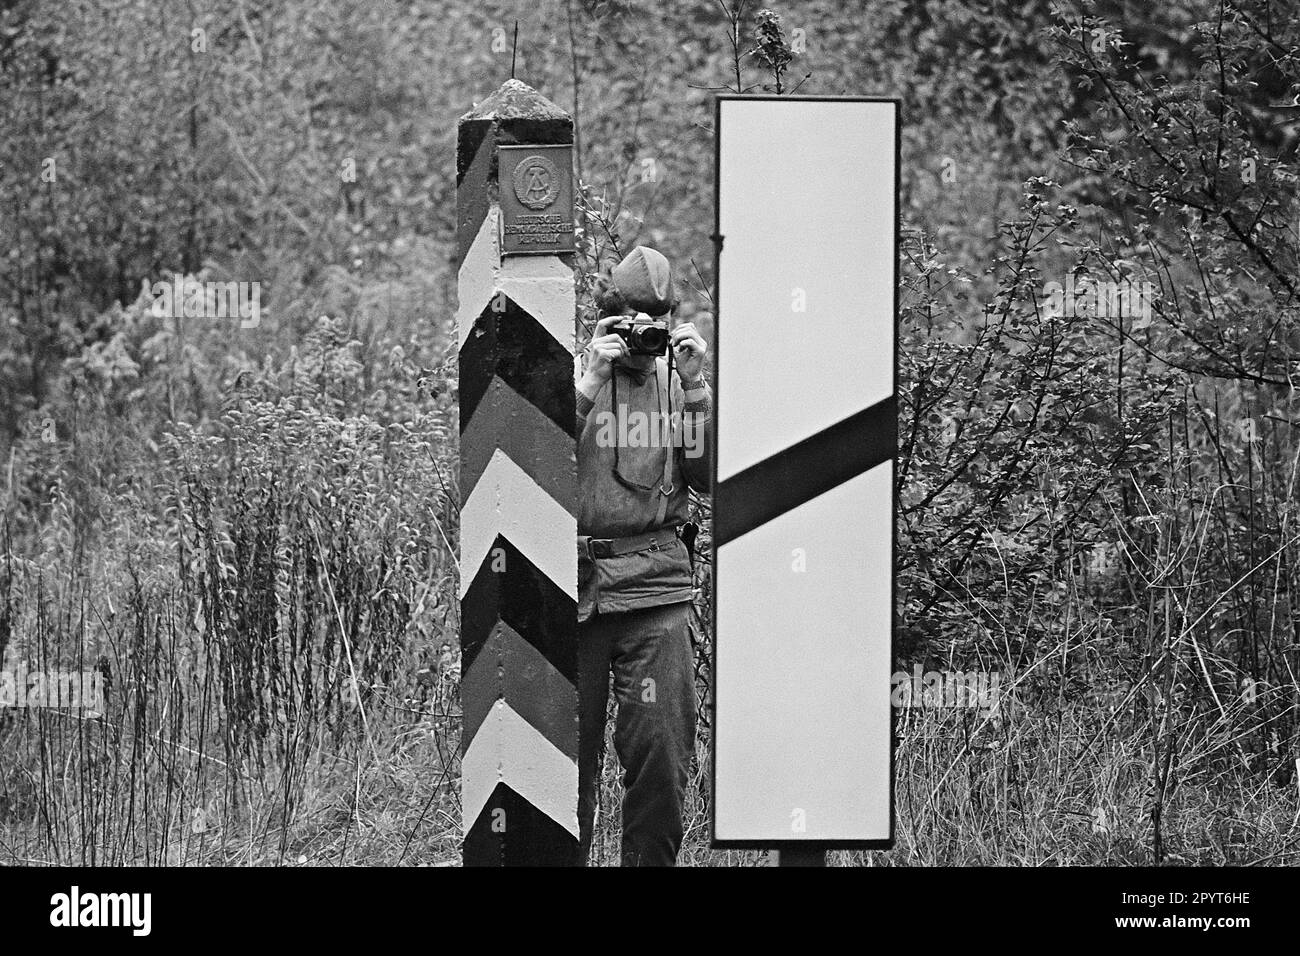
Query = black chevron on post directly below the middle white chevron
x=527 y=600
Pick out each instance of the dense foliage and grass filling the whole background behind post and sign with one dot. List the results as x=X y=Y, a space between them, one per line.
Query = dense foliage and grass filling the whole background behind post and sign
x=249 y=530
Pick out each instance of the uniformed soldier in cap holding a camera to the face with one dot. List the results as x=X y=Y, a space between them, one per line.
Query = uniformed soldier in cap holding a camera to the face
x=635 y=551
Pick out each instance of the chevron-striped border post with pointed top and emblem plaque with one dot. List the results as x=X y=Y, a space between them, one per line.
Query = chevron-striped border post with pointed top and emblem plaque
x=519 y=487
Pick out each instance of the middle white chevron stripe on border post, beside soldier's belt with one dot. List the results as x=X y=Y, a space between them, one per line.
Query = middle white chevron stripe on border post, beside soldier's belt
x=506 y=501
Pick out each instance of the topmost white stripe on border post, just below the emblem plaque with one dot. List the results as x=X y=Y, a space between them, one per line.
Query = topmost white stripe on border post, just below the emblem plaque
x=541 y=285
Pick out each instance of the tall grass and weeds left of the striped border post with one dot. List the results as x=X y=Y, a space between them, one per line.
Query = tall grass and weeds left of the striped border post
x=272 y=611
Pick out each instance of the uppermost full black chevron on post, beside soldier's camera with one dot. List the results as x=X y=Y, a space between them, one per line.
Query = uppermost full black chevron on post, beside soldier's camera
x=517 y=348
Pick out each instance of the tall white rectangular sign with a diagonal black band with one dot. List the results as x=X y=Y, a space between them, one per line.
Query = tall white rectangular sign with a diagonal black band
x=804 y=500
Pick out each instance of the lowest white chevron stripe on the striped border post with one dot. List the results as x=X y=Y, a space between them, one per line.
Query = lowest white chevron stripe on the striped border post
x=509 y=750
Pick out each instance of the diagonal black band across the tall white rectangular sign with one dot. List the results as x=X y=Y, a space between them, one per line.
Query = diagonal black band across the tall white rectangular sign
x=805 y=470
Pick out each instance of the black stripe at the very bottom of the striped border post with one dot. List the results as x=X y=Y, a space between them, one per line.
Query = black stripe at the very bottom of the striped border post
x=530 y=838
